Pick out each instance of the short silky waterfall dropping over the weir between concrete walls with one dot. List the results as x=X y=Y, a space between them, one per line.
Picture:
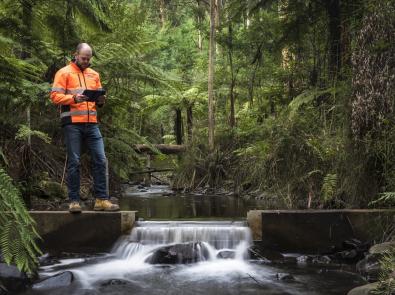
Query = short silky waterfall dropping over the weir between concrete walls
x=209 y=240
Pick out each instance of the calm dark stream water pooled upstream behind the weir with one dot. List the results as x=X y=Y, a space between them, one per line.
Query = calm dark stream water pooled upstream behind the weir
x=155 y=203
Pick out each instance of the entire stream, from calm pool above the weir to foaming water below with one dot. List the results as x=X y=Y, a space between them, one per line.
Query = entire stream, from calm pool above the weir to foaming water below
x=191 y=257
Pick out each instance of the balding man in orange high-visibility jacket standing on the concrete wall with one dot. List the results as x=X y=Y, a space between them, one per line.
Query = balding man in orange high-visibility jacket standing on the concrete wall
x=80 y=125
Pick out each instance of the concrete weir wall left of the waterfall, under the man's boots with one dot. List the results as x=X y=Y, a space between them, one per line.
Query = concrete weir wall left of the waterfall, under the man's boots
x=89 y=231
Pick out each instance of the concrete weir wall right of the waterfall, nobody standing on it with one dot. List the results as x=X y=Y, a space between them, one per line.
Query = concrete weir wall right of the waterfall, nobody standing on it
x=311 y=230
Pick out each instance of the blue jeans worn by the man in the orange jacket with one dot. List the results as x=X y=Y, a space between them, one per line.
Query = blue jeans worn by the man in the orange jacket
x=75 y=135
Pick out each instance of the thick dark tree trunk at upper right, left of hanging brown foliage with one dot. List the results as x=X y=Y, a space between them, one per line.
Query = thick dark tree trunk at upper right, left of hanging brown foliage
x=333 y=9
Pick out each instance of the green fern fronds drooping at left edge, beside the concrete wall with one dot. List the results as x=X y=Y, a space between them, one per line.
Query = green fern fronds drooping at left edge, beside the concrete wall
x=17 y=234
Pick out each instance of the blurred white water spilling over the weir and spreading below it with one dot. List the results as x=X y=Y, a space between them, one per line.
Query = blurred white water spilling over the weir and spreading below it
x=126 y=269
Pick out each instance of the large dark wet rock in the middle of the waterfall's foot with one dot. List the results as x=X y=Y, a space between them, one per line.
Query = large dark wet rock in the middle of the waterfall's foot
x=179 y=253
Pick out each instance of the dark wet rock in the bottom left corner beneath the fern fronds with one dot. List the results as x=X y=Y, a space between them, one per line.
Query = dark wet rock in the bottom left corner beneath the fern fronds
x=12 y=279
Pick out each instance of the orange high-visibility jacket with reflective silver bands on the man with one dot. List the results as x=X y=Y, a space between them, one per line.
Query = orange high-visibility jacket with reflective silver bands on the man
x=70 y=80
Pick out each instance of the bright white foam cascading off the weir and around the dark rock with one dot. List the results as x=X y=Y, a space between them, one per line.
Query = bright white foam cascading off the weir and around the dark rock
x=130 y=253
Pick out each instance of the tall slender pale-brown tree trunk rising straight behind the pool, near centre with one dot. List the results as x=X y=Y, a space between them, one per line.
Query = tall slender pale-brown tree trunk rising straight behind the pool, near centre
x=211 y=65
